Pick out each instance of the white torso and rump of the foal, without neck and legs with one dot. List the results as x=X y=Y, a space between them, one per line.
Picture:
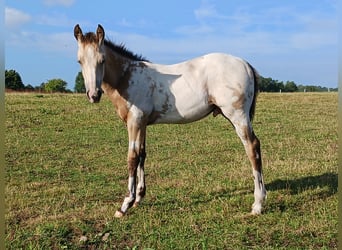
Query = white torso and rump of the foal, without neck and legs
x=183 y=92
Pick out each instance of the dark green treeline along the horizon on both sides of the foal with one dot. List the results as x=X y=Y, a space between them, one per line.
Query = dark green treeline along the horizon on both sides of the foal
x=13 y=81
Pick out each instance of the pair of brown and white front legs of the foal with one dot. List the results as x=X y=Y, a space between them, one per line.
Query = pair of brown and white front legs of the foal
x=135 y=162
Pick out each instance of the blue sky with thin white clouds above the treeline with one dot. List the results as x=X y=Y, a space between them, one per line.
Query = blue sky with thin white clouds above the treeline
x=286 y=40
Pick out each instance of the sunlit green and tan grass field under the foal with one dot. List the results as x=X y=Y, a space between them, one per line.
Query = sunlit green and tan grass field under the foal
x=66 y=175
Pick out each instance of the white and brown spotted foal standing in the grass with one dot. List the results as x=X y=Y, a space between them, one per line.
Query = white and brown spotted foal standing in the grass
x=144 y=93
